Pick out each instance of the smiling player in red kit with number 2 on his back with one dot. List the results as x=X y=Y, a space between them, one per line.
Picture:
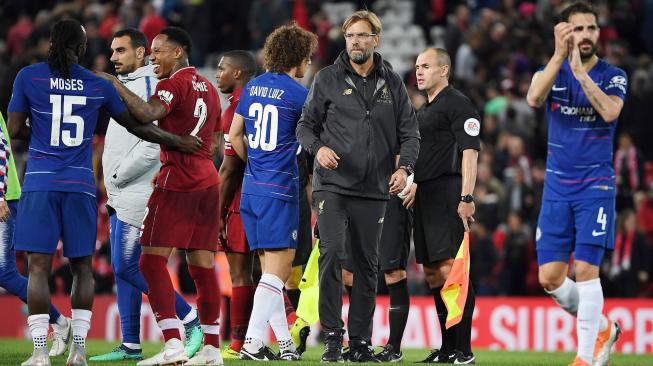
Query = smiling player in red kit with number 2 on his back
x=183 y=211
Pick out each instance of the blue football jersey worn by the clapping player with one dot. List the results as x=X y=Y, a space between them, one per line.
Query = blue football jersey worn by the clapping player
x=579 y=161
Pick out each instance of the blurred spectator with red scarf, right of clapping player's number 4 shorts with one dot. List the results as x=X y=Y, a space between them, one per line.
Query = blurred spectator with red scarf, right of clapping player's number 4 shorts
x=628 y=268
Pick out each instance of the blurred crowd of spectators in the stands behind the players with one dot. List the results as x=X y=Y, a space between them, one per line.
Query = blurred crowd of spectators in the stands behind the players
x=497 y=45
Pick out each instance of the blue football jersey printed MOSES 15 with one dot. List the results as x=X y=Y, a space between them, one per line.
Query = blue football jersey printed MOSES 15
x=63 y=114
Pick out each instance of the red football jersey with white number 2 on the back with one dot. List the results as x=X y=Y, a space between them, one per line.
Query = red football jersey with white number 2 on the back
x=193 y=108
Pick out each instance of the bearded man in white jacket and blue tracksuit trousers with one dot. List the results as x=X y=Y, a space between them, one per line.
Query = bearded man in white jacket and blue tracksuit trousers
x=129 y=164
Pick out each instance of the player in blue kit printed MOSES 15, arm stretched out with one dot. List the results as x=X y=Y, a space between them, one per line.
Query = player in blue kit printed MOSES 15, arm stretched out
x=62 y=100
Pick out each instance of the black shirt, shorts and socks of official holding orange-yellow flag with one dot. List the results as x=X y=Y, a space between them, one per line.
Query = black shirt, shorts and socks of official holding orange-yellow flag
x=448 y=125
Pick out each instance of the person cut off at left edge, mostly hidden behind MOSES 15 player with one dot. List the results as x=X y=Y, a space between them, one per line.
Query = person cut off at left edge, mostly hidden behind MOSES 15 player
x=10 y=279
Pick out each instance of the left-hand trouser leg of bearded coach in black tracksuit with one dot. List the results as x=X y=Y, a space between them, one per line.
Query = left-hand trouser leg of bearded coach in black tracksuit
x=332 y=220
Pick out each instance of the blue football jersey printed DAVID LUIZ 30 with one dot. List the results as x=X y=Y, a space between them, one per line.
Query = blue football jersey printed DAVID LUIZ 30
x=271 y=105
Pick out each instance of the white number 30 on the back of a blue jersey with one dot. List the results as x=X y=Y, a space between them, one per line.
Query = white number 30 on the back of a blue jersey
x=266 y=125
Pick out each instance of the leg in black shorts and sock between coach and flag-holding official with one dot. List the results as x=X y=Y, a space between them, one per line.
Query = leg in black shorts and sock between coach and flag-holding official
x=393 y=258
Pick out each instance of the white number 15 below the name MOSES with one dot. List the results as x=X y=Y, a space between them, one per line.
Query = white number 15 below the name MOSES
x=66 y=116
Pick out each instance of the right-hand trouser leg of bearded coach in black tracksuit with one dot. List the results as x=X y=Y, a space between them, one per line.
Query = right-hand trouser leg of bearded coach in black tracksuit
x=365 y=226
